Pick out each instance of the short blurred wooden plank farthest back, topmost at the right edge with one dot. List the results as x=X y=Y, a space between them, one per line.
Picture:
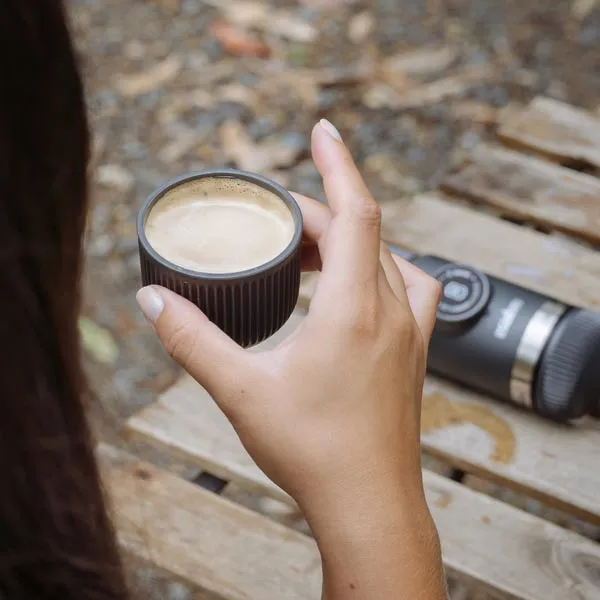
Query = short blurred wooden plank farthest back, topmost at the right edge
x=556 y=130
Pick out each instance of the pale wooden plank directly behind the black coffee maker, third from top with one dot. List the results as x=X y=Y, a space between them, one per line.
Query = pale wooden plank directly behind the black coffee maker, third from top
x=549 y=264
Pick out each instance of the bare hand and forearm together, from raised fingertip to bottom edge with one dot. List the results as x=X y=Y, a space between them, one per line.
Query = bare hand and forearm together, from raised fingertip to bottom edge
x=332 y=415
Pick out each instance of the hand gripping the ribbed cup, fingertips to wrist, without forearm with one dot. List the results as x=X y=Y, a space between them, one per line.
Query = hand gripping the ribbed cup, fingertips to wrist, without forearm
x=340 y=399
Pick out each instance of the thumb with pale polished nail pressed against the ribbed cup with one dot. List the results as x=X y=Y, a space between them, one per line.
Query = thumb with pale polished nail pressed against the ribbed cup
x=210 y=356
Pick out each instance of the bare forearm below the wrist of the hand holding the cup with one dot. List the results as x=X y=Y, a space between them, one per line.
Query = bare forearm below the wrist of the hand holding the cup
x=382 y=546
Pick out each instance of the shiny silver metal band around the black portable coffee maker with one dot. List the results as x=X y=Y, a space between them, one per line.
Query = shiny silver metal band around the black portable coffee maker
x=534 y=339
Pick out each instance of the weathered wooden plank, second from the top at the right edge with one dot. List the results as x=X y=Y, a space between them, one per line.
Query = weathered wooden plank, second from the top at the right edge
x=532 y=189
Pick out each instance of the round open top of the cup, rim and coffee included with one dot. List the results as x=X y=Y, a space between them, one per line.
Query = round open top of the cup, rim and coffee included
x=266 y=231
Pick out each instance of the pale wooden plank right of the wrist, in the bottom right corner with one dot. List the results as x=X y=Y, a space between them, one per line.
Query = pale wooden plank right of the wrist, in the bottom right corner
x=509 y=553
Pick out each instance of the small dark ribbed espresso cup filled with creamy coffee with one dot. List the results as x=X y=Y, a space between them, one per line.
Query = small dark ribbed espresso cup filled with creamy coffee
x=228 y=241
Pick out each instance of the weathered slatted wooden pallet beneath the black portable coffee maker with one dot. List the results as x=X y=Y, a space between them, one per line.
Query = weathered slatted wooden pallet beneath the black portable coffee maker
x=493 y=546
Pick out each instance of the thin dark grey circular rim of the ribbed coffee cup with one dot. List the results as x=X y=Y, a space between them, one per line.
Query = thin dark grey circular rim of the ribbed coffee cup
x=255 y=178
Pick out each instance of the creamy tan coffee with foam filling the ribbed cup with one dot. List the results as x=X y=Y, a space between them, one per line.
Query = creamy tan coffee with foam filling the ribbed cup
x=219 y=225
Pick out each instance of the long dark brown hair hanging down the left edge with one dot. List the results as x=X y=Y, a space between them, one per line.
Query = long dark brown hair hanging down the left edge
x=56 y=540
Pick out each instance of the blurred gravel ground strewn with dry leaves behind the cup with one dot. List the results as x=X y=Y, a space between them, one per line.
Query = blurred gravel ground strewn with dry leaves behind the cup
x=179 y=85
